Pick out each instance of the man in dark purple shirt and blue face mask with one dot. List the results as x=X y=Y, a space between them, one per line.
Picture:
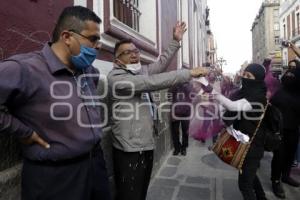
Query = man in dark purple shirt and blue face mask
x=47 y=102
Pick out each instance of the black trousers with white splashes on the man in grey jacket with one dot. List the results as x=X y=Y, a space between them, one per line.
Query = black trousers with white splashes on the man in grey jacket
x=132 y=171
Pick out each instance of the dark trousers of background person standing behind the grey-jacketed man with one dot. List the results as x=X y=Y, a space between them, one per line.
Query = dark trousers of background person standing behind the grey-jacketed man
x=176 y=133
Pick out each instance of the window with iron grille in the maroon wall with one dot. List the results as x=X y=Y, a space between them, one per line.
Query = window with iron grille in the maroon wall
x=127 y=11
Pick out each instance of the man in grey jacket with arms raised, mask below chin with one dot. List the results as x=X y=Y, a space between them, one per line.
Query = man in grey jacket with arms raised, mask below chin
x=132 y=115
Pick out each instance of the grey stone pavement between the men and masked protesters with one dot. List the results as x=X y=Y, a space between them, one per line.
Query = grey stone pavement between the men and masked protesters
x=200 y=175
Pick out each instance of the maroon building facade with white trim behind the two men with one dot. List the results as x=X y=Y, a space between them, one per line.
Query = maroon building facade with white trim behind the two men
x=27 y=26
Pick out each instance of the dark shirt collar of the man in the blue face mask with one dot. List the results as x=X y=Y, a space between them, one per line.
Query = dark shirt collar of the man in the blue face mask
x=52 y=60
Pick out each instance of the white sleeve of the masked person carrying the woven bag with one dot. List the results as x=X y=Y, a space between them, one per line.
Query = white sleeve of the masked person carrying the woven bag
x=239 y=105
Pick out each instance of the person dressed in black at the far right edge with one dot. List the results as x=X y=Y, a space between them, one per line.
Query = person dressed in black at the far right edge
x=287 y=99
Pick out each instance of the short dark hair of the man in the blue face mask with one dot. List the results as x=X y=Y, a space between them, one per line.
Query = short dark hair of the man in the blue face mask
x=73 y=18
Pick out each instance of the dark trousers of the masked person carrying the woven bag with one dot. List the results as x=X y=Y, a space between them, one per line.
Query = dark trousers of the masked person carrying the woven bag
x=249 y=183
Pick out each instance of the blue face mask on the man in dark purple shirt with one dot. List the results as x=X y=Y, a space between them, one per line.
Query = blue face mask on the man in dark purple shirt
x=85 y=58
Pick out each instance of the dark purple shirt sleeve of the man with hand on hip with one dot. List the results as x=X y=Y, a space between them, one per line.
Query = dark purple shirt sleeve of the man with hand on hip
x=12 y=83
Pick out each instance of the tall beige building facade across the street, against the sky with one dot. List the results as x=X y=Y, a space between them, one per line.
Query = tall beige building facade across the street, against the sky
x=266 y=34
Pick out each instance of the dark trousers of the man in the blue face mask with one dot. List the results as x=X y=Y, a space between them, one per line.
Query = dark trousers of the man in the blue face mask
x=77 y=180
